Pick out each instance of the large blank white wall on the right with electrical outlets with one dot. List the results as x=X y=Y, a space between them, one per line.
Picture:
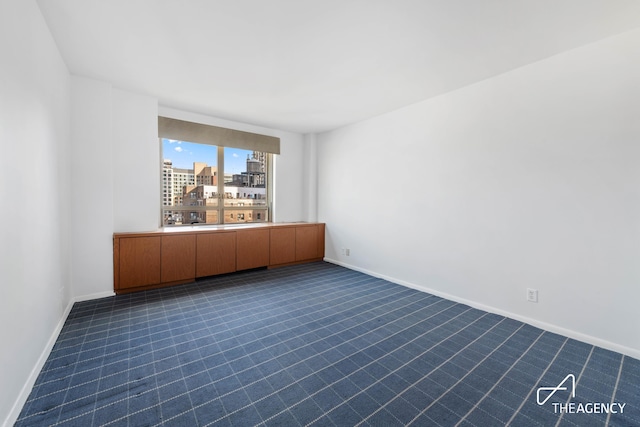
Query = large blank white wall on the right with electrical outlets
x=526 y=180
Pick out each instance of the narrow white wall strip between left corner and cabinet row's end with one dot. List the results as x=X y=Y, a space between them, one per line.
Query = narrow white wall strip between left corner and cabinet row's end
x=92 y=195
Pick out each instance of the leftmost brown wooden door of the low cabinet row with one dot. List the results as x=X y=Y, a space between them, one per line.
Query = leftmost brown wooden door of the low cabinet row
x=139 y=261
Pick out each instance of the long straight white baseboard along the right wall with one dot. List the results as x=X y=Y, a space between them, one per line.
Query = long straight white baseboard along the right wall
x=631 y=352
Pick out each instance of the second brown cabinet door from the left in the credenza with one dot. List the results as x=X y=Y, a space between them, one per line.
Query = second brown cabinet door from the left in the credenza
x=178 y=258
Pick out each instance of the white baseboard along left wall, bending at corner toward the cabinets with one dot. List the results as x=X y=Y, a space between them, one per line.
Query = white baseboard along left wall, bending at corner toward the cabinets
x=31 y=380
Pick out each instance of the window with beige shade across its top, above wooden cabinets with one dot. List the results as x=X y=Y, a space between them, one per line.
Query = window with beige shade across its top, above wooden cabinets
x=214 y=175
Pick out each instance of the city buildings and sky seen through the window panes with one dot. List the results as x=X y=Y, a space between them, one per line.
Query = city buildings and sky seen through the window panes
x=207 y=184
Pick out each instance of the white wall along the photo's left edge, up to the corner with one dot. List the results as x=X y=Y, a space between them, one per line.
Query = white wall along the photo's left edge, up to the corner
x=34 y=188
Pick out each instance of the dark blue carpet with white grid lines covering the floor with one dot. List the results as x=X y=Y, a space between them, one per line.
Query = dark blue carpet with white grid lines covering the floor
x=318 y=344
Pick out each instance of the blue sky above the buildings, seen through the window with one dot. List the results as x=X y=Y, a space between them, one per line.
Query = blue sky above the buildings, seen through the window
x=183 y=154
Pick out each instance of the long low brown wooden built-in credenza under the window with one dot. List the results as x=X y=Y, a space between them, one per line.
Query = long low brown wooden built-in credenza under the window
x=180 y=255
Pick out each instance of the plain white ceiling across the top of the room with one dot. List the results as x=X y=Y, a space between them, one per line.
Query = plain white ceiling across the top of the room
x=314 y=65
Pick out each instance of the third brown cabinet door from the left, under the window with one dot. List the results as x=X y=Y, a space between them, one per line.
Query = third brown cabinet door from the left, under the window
x=215 y=253
